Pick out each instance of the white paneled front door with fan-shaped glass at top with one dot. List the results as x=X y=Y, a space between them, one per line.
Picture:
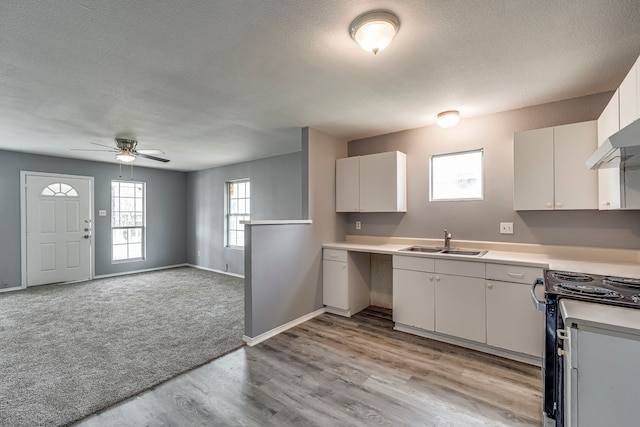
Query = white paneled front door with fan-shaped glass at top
x=58 y=228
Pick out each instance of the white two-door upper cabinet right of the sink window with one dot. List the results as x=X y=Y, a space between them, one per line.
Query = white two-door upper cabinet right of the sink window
x=550 y=171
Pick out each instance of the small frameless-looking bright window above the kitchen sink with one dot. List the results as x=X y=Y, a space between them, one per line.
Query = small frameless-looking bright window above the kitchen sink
x=457 y=176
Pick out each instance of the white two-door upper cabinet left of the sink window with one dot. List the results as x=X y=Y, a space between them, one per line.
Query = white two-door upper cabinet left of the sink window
x=372 y=183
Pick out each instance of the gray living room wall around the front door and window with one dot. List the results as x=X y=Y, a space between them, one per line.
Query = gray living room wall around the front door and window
x=166 y=219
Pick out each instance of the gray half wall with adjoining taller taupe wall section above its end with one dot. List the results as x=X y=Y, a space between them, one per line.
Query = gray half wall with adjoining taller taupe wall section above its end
x=283 y=279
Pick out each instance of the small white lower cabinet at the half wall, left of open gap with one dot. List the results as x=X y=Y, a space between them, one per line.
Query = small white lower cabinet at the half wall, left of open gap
x=345 y=281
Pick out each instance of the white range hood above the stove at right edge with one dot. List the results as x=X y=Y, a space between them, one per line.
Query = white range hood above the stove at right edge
x=620 y=150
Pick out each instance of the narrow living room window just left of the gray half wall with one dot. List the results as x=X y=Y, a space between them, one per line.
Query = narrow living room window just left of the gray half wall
x=238 y=209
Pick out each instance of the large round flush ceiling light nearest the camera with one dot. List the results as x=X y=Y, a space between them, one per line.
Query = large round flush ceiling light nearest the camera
x=374 y=30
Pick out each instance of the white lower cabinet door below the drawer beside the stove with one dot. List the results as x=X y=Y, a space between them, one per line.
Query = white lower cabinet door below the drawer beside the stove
x=513 y=323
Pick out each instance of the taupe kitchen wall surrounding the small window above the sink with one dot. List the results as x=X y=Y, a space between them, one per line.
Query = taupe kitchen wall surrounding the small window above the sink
x=479 y=220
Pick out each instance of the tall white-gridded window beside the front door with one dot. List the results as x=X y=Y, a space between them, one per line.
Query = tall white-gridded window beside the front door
x=127 y=220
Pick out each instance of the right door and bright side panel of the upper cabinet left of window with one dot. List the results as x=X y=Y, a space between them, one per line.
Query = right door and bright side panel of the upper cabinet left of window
x=383 y=182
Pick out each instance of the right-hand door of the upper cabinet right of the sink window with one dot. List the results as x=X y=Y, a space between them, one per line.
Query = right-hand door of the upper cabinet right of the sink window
x=576 y=187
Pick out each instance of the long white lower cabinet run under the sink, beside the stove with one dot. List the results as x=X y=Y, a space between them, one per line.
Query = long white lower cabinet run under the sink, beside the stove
x=486 y=303
